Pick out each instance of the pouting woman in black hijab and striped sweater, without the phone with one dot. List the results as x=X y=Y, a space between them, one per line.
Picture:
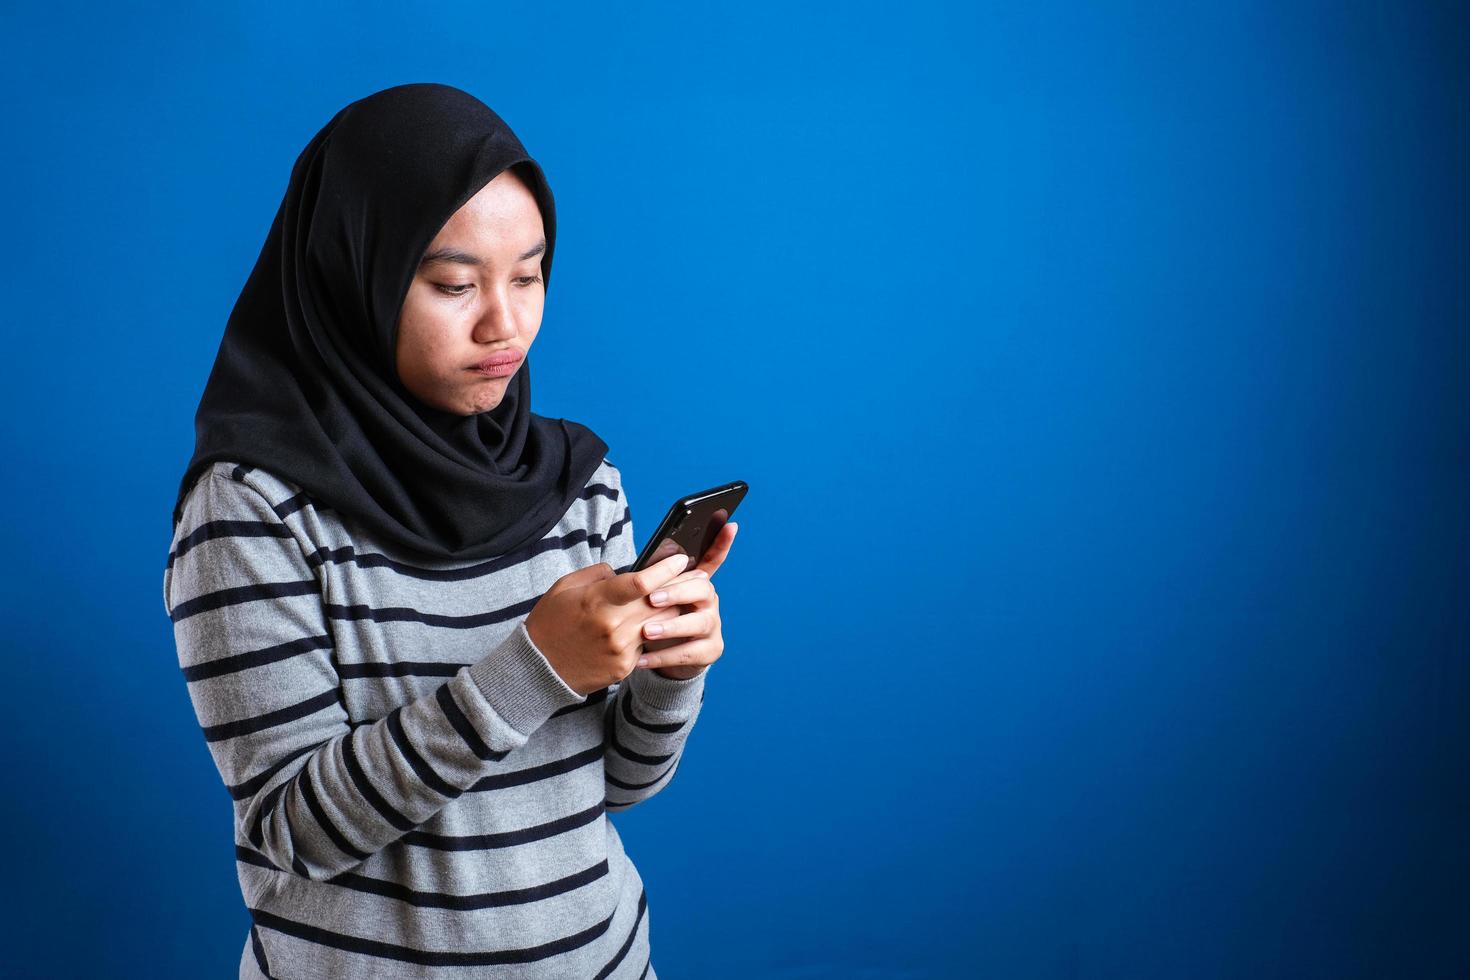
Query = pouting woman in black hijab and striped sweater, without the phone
x=402 y=600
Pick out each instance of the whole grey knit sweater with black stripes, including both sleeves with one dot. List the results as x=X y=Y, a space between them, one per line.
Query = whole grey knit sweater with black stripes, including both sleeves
x=417 y=791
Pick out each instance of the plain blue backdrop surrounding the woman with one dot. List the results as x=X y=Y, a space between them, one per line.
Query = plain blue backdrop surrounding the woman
x=1100 y=605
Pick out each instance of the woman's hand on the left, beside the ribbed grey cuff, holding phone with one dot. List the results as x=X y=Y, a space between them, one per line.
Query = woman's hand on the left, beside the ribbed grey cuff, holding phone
x=590 y=622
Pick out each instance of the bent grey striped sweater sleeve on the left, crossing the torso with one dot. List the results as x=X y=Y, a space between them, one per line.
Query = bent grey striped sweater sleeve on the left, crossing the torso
x=315 y=796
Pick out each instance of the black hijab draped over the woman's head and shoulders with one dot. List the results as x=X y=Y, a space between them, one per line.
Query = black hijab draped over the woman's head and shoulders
x=305 y=384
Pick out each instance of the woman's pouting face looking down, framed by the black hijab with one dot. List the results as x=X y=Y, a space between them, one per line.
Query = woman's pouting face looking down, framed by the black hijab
x=478 y=293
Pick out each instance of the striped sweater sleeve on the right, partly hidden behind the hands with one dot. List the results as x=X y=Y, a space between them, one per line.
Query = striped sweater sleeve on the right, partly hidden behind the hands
x=649 y=718
